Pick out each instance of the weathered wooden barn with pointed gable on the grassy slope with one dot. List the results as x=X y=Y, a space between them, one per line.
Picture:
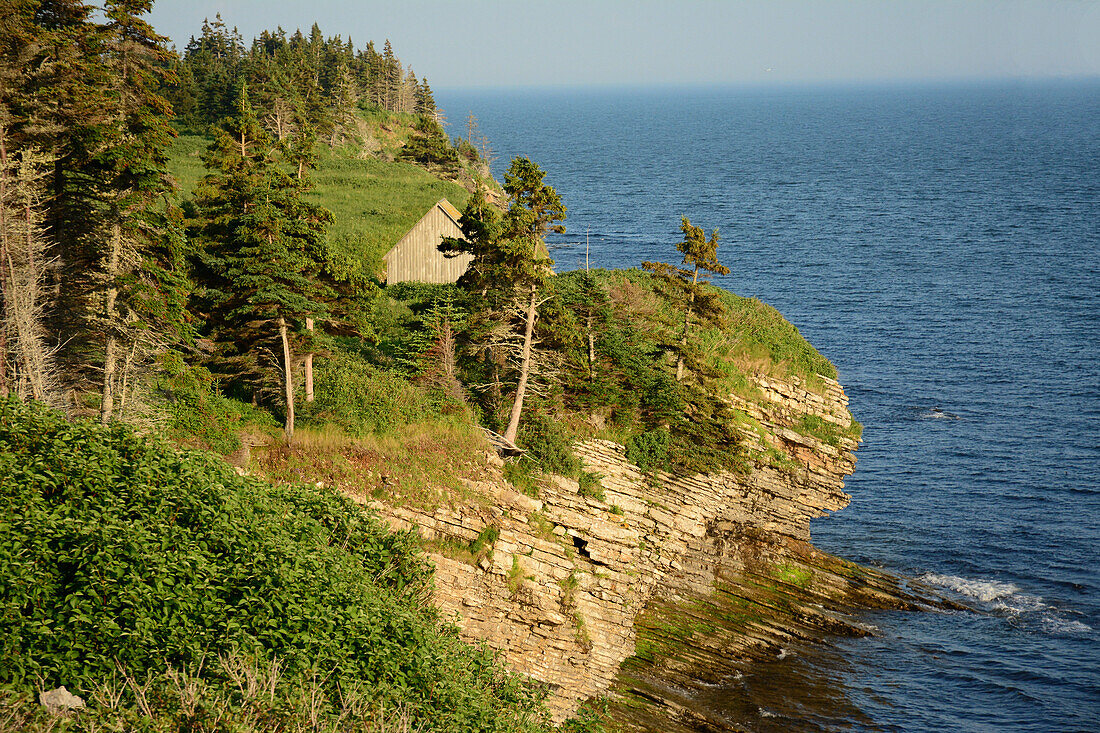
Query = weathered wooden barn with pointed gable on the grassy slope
x=417 y=258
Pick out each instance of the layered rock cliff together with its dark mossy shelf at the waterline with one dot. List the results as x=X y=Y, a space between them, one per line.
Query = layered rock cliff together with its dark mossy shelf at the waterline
x=569 y=587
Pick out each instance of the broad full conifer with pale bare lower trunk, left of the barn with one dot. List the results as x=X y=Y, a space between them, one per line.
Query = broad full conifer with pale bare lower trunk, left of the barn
x=265 y=247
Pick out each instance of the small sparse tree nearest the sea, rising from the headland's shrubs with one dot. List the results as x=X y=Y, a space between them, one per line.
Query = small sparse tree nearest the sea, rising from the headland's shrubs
x=701 y=261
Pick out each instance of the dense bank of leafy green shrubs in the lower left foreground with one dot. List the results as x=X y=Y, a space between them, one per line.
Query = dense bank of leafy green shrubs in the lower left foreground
x=118 y=552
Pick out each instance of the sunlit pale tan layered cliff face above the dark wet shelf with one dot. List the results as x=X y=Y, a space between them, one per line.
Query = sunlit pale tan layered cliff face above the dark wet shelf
x=564 y=589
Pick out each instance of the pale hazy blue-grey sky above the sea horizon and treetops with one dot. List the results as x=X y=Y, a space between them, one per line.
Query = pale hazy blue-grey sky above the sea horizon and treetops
x=491 y=43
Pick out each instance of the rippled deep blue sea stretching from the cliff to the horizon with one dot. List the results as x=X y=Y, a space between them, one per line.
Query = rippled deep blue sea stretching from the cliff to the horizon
x=941 y=245
